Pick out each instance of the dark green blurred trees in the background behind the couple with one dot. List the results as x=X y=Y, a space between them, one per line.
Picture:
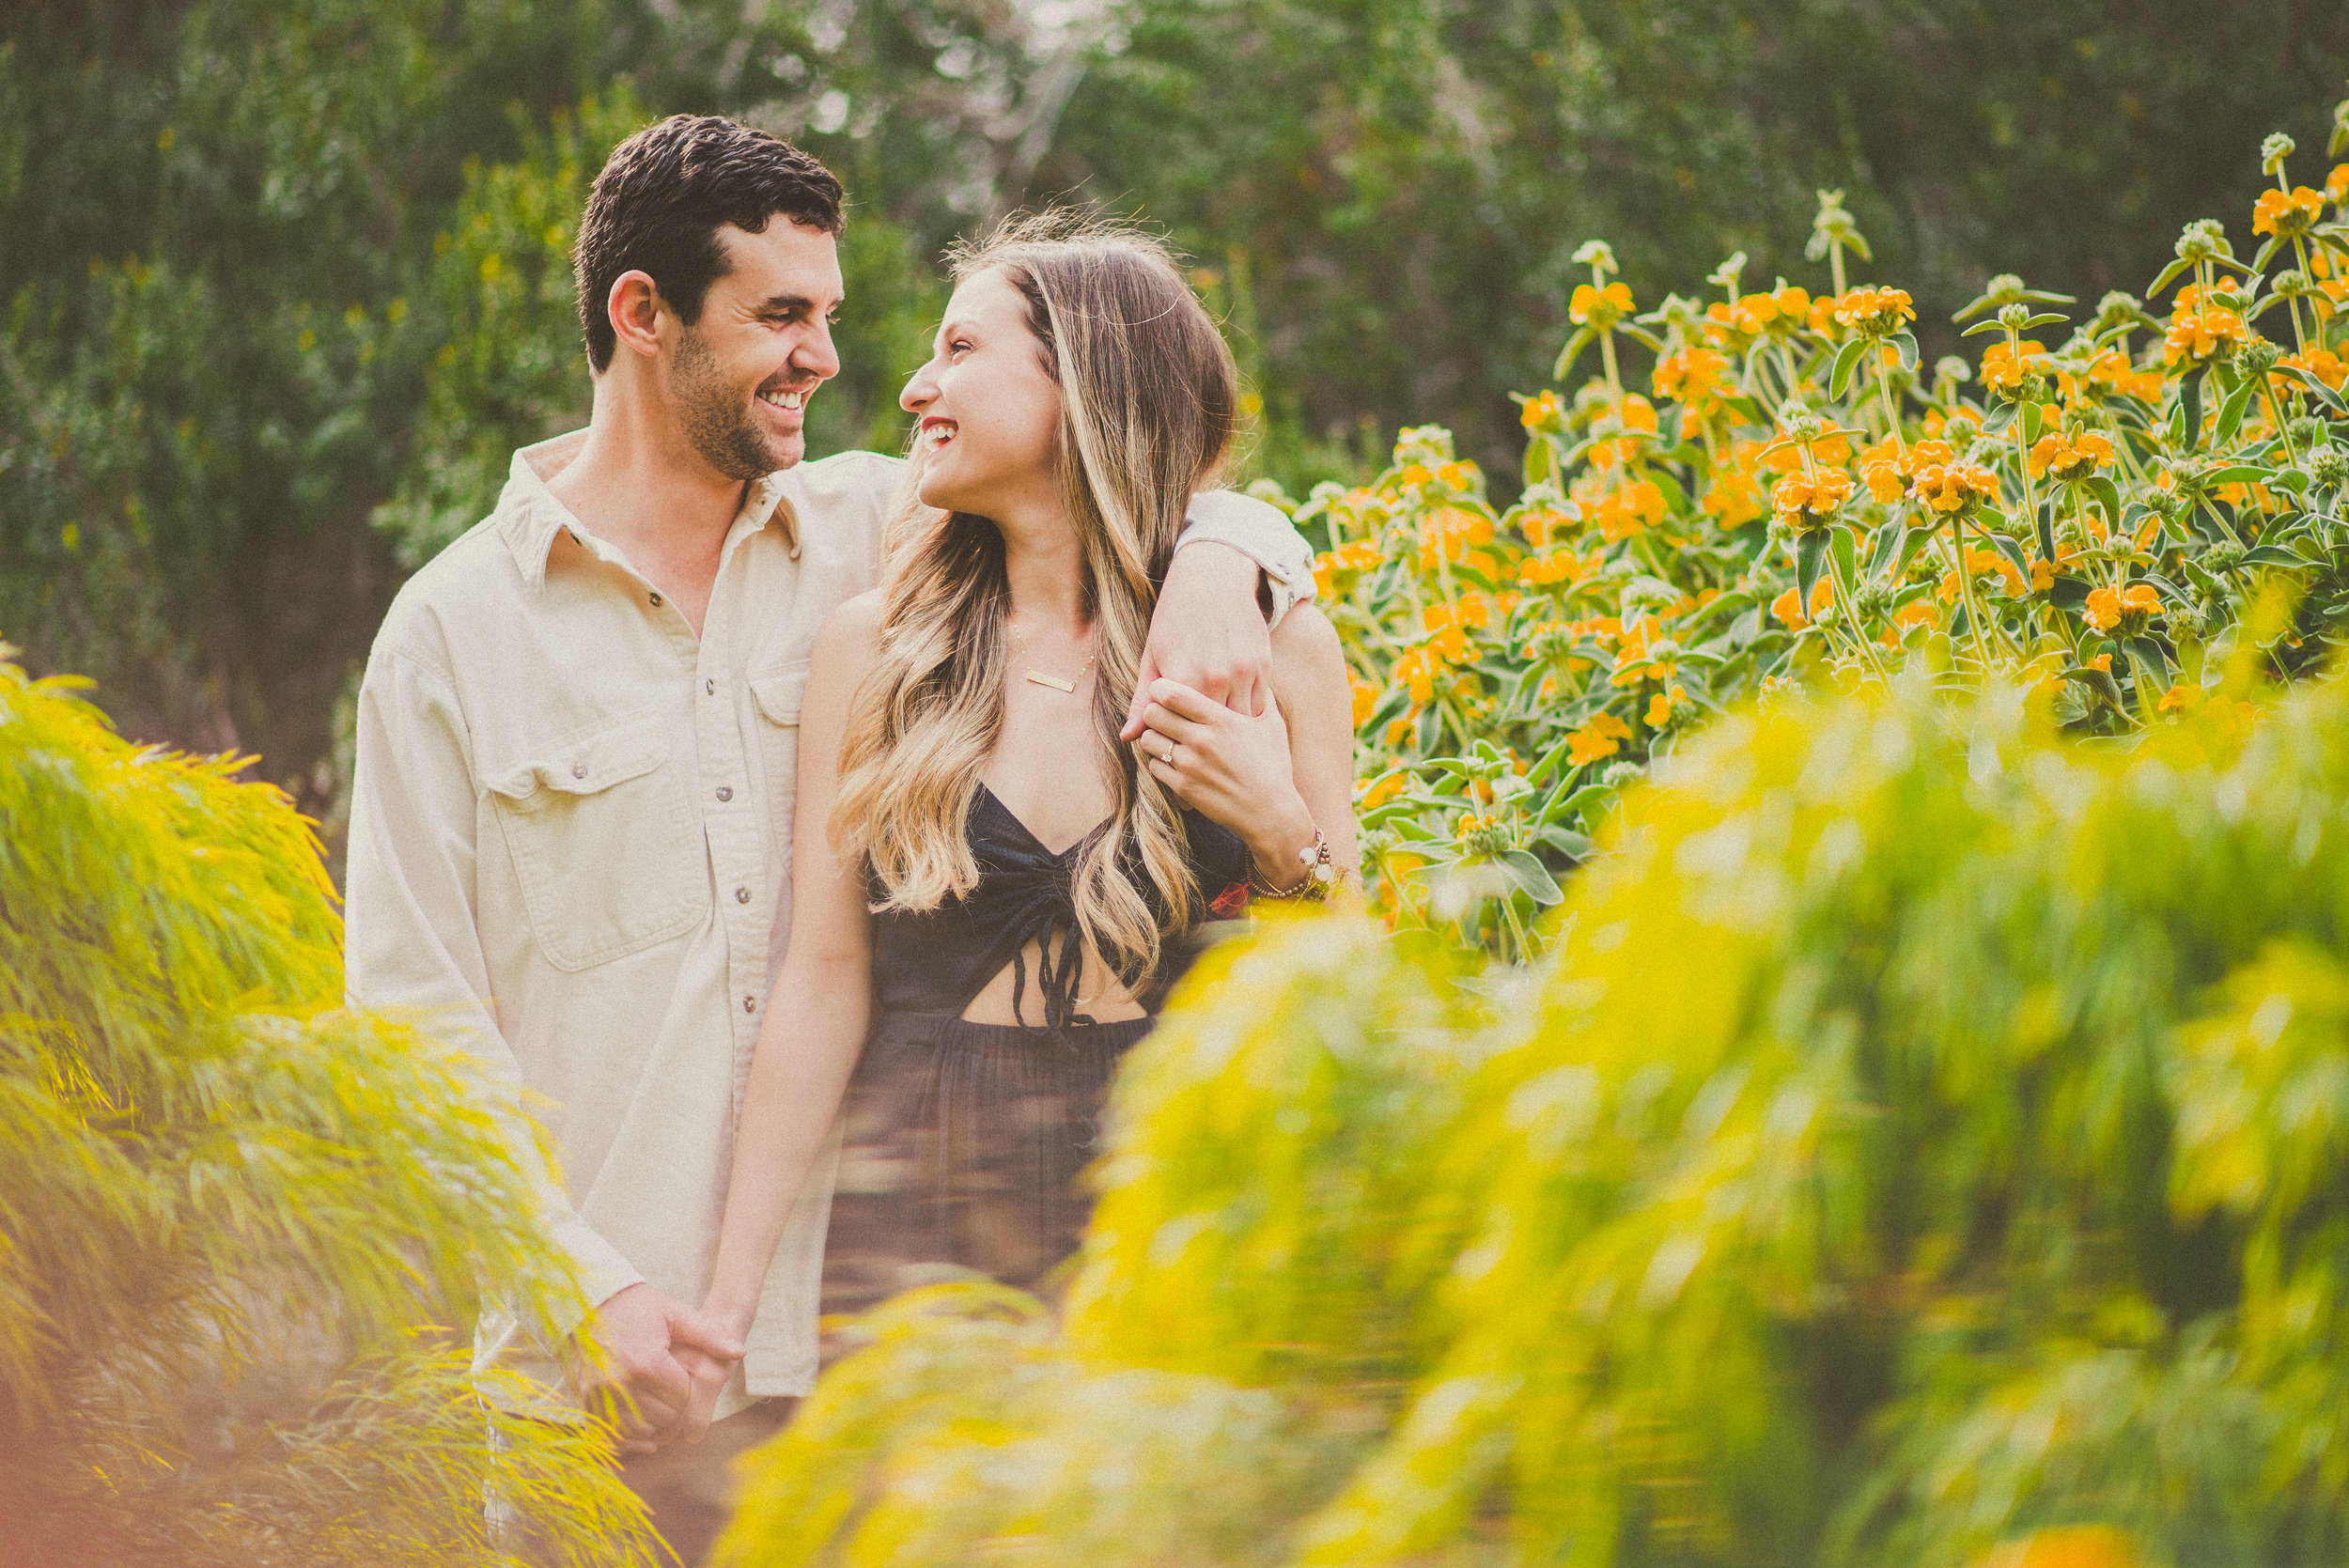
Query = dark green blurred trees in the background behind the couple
x=285 y=278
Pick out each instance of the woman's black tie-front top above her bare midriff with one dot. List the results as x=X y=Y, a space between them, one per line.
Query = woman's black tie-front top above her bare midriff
x=938 y=961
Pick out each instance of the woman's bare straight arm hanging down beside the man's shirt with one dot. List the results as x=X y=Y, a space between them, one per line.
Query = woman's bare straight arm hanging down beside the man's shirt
x=821 y=1006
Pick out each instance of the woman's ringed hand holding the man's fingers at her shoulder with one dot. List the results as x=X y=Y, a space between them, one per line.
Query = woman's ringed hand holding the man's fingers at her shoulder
x=1232 y=769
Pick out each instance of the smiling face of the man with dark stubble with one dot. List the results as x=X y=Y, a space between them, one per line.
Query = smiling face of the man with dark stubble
x=743 y=374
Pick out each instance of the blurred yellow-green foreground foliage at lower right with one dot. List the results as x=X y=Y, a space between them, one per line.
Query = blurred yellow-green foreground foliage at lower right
x=1925 y=1137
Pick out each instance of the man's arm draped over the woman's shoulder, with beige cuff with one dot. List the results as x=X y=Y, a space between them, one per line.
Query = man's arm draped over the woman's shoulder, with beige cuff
x=1209 y=630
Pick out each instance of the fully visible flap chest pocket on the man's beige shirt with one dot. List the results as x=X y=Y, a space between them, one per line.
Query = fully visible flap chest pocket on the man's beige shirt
x=605 y=846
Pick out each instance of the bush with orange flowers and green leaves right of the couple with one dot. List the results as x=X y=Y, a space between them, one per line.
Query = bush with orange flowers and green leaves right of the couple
x=1789 y=496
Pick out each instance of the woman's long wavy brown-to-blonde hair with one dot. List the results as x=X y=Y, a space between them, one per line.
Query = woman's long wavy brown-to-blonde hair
x=1147 y=412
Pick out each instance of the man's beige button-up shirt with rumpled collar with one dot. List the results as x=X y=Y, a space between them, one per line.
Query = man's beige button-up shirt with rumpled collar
x=572 y=844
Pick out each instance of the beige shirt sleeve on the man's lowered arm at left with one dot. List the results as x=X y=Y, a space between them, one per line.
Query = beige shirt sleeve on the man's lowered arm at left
x=410 y=933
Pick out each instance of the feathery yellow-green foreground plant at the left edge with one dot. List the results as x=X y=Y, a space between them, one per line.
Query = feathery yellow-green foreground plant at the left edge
x=227 y=1208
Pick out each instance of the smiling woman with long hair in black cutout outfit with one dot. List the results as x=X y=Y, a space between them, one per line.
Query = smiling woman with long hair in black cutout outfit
x=990 y=891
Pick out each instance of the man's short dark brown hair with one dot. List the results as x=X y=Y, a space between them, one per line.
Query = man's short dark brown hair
x=661 y=198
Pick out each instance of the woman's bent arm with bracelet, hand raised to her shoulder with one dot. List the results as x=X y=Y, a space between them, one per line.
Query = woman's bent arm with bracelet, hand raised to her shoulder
x=1279 y=778
